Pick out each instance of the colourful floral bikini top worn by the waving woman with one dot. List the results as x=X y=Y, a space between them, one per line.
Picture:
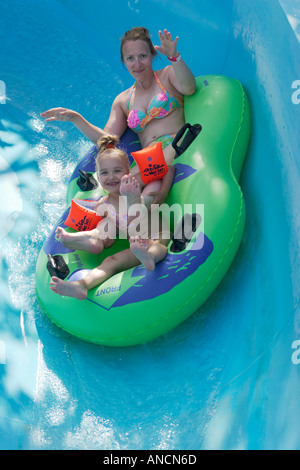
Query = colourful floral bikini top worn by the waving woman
x=160 y=106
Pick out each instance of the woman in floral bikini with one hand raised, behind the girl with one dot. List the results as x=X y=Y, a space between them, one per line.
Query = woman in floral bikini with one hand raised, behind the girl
x=153 y=106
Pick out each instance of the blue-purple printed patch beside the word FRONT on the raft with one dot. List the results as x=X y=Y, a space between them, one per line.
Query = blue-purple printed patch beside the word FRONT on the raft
x=167 y=274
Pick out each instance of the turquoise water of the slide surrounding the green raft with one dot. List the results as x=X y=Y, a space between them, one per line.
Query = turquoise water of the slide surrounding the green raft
x=225 y=378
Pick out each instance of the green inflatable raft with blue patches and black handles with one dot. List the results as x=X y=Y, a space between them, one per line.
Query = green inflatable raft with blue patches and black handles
x=137 y=306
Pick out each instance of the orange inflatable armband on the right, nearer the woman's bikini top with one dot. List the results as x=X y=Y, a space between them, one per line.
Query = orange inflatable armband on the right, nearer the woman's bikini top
x=151 y=162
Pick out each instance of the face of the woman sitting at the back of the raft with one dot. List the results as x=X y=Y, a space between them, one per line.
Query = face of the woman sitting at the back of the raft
x=137 y=58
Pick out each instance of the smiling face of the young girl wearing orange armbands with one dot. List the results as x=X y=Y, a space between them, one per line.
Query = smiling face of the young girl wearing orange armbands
x=110 y=171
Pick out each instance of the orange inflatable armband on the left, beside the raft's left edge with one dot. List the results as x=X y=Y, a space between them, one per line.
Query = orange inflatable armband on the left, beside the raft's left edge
x=81 y=216
